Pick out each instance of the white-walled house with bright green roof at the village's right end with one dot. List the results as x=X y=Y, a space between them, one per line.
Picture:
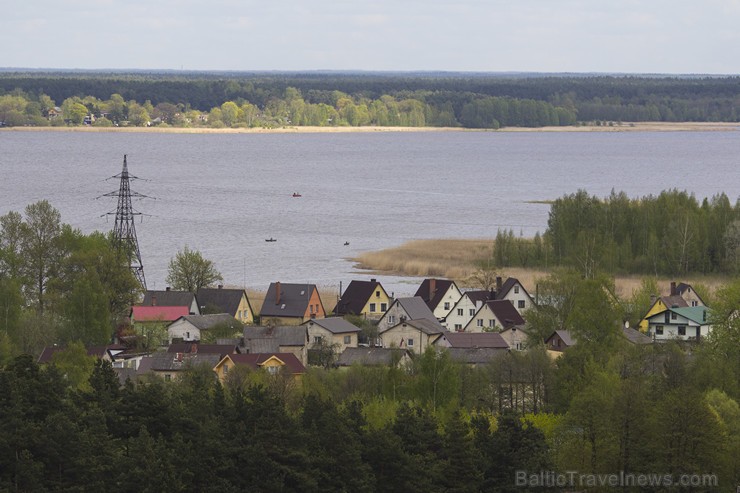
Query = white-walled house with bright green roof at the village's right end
x=689 y=323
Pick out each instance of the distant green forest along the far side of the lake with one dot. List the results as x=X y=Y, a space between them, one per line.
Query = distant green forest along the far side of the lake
x=357 y=99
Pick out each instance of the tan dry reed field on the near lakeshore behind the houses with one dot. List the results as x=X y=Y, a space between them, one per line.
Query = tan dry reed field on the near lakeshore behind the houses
x=458 y=260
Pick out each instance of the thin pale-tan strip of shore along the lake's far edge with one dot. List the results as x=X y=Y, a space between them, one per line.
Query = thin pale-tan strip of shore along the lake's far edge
x=623 y=127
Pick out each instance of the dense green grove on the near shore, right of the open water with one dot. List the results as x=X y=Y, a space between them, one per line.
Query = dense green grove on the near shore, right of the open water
x=668 y=234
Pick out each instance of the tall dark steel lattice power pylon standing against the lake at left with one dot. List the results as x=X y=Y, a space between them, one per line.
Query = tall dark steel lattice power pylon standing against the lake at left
x=124 y=230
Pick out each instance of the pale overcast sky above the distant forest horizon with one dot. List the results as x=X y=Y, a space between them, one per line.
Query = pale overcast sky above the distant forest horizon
x=581 y=36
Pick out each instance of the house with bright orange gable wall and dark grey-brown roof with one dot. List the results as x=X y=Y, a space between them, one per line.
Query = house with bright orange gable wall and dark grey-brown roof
x=291 y=304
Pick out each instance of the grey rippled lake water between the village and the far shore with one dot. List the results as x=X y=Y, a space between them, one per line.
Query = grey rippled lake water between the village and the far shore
x=225 y=194
